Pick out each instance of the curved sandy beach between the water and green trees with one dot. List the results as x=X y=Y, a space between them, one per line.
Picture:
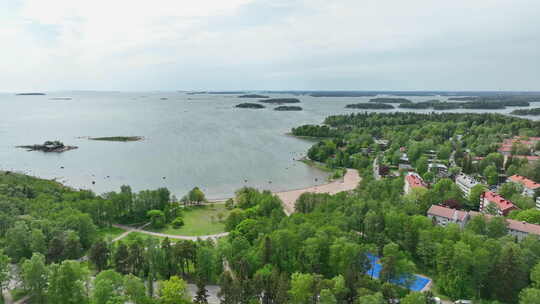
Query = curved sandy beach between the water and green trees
x=348 y=182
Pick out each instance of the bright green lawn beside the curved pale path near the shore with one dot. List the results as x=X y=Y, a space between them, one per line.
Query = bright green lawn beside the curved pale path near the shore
x=200 y=220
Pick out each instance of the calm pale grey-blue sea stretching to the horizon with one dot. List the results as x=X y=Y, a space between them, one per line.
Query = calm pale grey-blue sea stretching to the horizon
x=190 y=140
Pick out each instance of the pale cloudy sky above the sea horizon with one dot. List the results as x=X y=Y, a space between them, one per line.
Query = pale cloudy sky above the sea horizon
x=136 y=45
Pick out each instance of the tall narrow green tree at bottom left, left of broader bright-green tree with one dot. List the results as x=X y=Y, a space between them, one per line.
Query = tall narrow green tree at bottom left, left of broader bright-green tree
x=34 y=274
